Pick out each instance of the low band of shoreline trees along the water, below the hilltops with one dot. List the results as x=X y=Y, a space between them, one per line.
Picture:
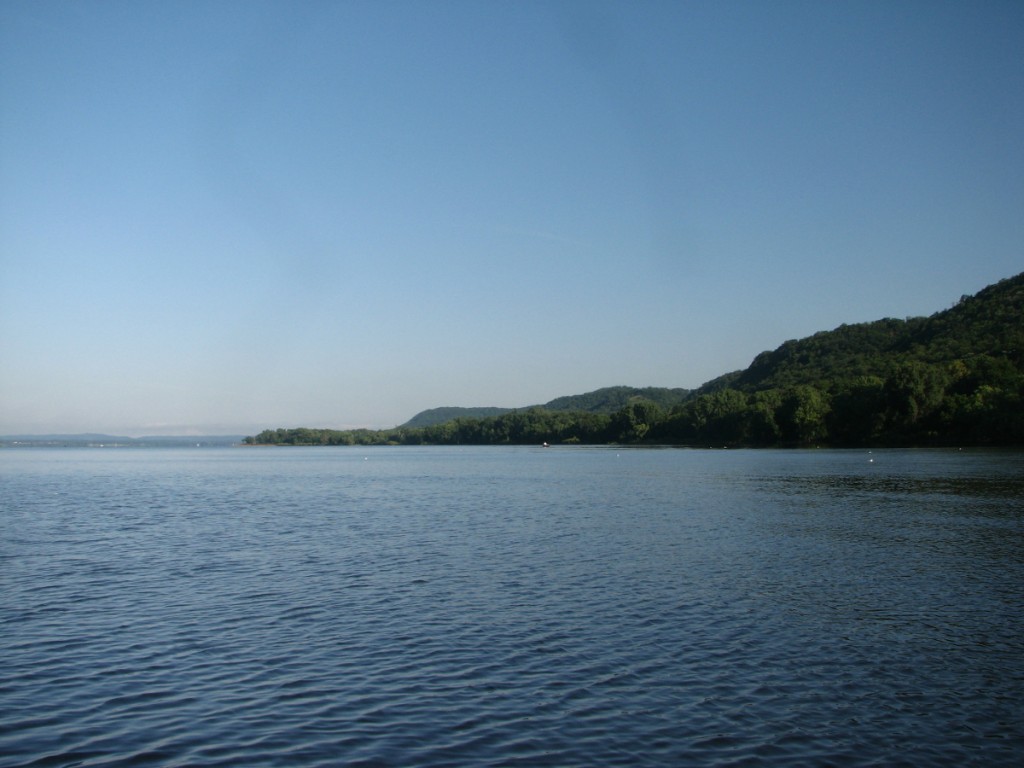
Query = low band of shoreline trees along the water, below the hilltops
x=971 y=403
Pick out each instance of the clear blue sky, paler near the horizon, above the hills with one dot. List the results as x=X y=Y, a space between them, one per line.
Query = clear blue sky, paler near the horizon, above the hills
x=219 y=218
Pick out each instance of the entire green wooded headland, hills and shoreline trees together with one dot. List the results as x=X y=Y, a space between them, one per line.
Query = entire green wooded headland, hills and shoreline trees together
x=956 y=378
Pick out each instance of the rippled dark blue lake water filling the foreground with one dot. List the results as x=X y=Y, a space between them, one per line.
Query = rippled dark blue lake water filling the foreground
x=435 y=607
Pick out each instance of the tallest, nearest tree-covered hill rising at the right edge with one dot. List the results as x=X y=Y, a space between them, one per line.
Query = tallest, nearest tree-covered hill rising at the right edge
x=956 y=377
